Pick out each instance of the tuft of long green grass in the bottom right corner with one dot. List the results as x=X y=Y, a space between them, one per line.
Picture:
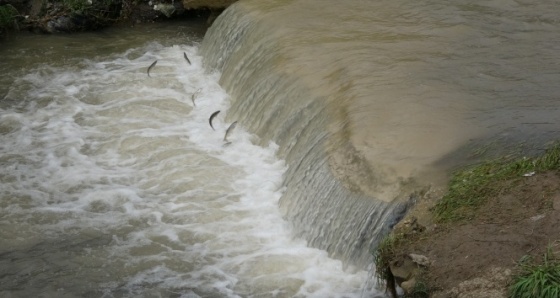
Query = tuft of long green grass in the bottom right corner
x=537 y=279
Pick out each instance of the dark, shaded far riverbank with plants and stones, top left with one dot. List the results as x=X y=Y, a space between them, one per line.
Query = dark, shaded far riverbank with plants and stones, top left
x=47 y=16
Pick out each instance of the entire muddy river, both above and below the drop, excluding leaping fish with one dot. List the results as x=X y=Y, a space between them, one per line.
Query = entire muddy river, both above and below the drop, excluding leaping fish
x=113 y=183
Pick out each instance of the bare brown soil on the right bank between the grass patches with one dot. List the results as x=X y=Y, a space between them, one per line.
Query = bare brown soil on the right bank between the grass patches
x=475 y=258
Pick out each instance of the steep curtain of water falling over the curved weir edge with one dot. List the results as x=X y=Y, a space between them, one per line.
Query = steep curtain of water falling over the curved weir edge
x=305 y=114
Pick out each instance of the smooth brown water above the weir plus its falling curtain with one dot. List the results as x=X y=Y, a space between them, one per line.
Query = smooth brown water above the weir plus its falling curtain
x=372 y=101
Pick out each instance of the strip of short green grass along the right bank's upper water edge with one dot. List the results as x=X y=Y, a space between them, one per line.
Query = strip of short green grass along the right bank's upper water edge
x=470 y=188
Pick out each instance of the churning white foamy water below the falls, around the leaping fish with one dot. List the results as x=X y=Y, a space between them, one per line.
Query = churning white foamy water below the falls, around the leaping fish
x=113 y=184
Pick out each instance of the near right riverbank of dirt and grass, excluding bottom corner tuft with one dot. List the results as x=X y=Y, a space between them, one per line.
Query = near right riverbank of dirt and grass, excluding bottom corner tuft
x=470 y=240
